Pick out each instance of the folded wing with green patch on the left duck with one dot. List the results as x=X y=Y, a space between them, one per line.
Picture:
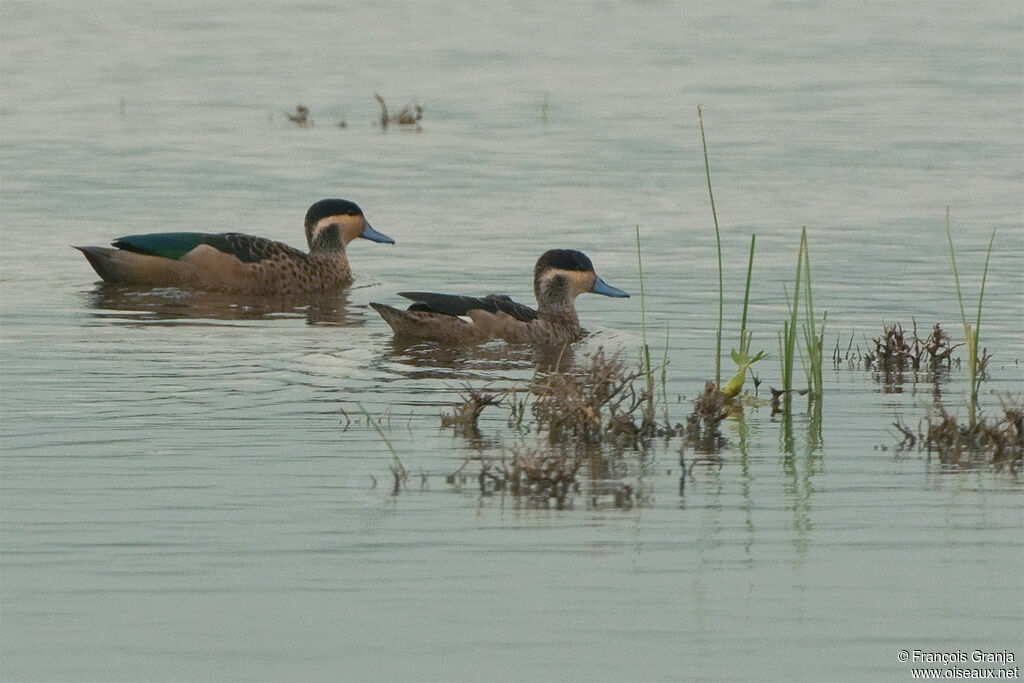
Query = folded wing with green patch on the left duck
x=246 y=248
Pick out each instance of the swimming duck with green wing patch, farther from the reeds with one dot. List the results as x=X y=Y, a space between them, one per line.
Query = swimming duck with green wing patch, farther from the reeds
x=238 y=263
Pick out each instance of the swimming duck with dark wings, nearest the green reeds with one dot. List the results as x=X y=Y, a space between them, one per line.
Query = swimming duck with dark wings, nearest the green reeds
x=561 y=275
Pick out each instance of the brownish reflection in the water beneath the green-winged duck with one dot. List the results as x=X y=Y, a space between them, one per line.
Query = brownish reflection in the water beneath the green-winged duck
x=140 y=305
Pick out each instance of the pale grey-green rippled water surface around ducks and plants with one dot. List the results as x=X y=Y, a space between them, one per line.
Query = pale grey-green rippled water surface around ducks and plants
x=183 y=494
